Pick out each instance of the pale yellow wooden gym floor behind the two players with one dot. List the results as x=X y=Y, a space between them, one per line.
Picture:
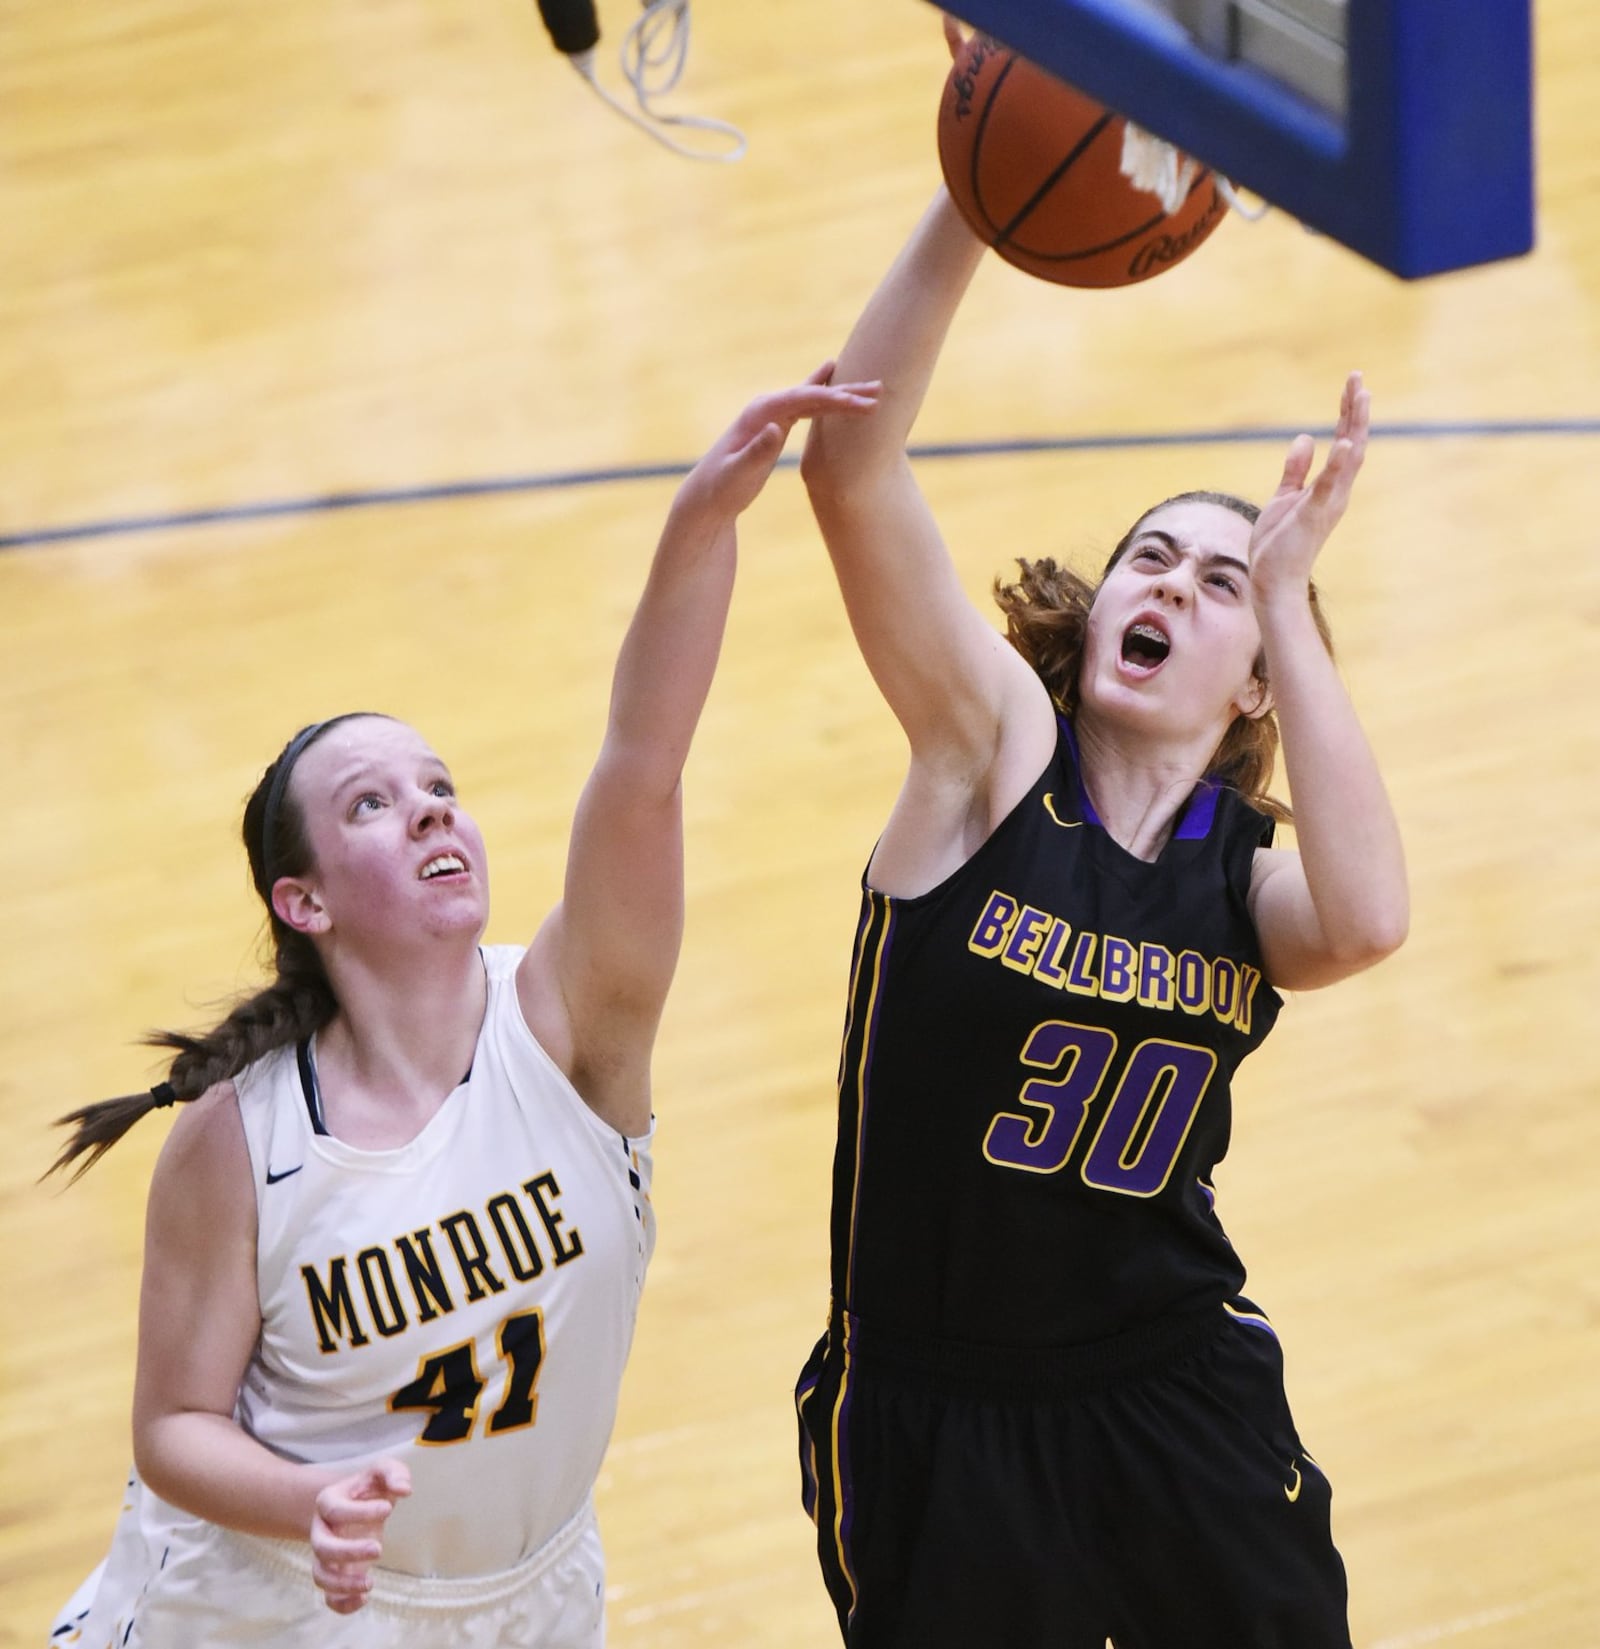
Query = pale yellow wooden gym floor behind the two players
x=332 y=247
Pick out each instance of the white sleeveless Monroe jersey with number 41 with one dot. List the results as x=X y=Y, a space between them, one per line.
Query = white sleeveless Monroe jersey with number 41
x=464 y=1304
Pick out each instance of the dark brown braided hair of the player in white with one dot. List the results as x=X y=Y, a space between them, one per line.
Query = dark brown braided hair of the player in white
x=291 y=1008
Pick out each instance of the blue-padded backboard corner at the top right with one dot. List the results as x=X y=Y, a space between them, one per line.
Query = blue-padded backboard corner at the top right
x=1400 y=128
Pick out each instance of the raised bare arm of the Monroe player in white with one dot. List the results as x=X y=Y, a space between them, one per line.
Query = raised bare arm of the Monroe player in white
x=611 y=947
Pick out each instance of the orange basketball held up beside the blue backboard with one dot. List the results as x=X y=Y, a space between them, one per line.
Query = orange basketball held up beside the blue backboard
x=1037 y=171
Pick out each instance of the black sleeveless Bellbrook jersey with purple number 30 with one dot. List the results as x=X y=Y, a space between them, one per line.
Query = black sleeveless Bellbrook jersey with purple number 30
x=1035 y=1078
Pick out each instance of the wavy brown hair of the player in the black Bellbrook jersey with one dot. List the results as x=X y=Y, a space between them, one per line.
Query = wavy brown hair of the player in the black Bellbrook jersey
x=1048 y=619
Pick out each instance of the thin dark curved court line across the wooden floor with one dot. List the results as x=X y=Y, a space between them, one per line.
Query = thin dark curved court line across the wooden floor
x=560 y=481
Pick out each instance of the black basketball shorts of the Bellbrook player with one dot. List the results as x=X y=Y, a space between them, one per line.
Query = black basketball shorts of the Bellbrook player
x=1159 y=1496
